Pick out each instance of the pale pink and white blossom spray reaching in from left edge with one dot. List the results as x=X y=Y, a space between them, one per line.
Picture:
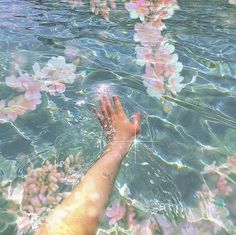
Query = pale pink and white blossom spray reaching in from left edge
x=52 y=78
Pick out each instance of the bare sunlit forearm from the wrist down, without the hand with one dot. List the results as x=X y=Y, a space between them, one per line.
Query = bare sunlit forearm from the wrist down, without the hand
x=82 y=210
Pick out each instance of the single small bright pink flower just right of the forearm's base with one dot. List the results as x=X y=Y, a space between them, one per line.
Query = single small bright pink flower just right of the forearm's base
x=115 y=213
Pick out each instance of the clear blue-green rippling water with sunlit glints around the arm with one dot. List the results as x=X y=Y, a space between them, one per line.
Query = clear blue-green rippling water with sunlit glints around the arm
x=166 y=170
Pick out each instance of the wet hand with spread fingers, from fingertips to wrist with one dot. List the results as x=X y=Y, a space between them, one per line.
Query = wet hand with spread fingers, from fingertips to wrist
x=116 y=125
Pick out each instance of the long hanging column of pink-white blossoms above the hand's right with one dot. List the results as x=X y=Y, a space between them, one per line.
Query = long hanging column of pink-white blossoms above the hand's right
x=162 y=66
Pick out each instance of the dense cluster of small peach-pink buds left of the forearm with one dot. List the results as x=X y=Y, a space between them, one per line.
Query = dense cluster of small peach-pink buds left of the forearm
x=43 y=188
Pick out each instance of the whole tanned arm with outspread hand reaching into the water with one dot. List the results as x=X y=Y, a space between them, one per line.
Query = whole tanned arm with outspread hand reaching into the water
x=80 y=213
